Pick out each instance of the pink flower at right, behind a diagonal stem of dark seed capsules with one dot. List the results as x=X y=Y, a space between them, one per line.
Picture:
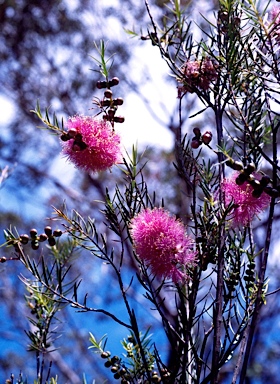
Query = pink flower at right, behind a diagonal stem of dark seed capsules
x=246 y=206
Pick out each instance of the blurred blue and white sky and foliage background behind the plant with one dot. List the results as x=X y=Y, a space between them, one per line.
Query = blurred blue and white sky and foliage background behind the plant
x=46 y=50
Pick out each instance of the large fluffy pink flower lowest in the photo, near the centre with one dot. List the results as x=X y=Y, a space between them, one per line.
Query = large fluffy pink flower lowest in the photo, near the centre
x=161 y=242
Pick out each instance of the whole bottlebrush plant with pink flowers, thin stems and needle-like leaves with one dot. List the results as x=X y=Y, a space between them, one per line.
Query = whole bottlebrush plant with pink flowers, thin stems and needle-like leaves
x=203 y=273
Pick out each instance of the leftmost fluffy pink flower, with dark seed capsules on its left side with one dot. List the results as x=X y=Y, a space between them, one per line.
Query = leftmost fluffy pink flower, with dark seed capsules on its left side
x=93 y=144
